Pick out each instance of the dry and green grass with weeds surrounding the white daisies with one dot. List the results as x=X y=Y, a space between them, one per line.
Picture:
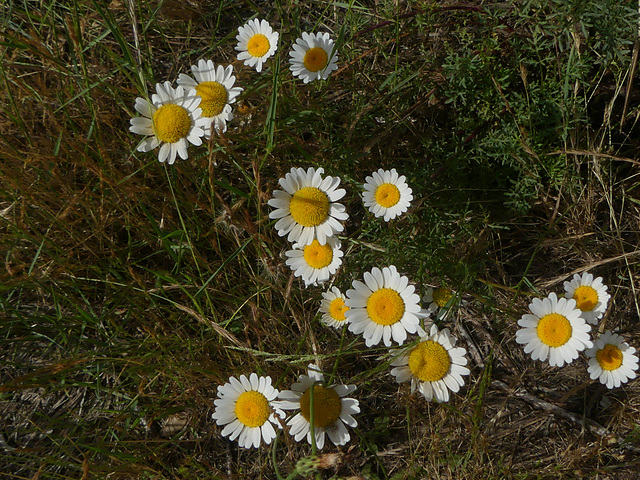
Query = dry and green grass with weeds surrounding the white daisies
x=133 y=289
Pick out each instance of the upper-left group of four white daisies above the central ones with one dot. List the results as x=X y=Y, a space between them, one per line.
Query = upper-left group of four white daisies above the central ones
x=201 y=104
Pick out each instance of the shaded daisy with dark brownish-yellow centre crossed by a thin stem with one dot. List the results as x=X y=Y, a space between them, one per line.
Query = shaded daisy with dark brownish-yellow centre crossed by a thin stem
x=332 y=410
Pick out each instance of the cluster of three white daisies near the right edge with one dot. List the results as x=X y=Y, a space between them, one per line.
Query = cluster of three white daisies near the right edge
x=558 y=329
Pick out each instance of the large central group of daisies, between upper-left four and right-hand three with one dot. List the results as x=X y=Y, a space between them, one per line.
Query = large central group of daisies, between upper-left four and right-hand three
x=384 y=307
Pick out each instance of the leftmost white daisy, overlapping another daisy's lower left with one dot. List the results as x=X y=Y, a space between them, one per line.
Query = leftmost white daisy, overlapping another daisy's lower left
x=172 y=119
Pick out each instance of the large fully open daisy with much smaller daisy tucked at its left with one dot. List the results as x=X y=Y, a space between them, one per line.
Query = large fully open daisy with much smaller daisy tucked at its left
x=383 y=307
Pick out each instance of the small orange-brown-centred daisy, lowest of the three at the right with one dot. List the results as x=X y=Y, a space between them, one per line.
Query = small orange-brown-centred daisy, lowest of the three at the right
x=612 y=360
